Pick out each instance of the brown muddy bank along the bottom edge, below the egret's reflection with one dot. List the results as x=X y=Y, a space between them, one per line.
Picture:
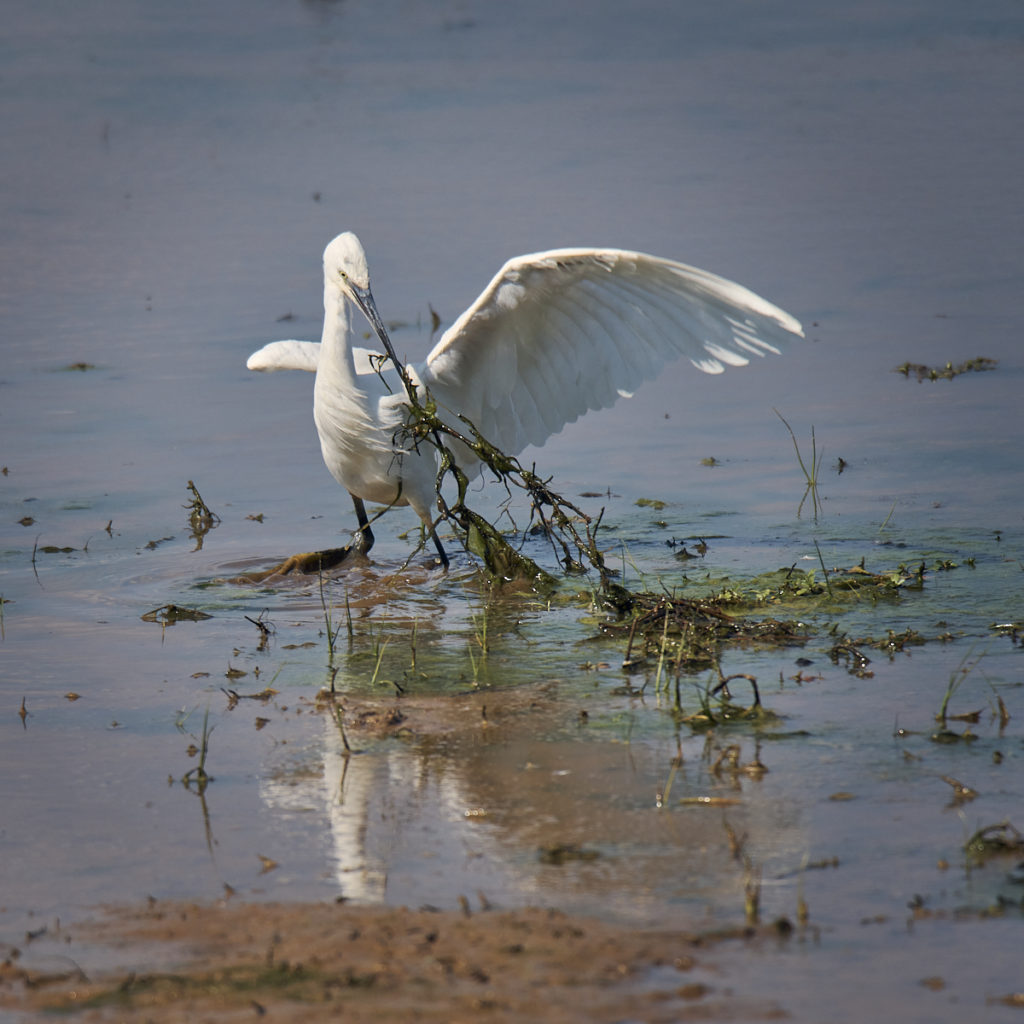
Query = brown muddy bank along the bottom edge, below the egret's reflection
x=177 y=962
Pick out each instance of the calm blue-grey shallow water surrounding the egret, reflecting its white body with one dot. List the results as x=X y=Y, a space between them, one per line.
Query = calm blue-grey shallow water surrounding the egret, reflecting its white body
x=173 y=179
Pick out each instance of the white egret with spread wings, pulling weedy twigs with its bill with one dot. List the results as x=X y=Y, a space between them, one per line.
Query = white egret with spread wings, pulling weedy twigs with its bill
x=554 y=335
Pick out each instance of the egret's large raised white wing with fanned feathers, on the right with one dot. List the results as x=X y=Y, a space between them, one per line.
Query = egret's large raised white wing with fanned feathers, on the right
x=560 y=333
